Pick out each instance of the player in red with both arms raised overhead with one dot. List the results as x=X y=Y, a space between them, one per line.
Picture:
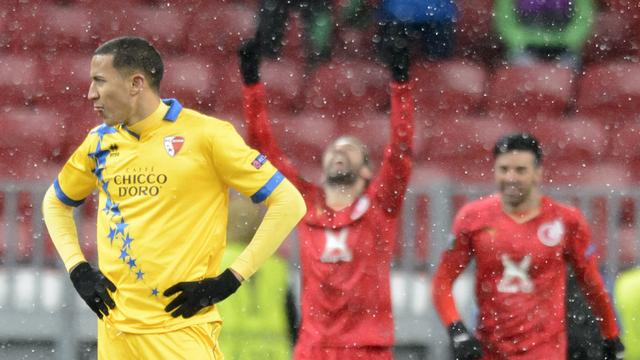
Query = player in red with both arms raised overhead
x=346 y=238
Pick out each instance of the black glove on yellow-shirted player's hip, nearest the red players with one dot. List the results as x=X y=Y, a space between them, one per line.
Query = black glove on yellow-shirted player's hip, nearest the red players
x=196 y=295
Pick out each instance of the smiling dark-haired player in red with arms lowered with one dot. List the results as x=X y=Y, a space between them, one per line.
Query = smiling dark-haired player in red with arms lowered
x=521 y=241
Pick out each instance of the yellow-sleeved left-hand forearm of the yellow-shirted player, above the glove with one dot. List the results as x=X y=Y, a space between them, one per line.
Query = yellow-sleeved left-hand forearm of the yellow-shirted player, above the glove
x=62 y=228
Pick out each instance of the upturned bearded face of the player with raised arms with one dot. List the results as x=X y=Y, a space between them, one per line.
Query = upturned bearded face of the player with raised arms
x=342 y=162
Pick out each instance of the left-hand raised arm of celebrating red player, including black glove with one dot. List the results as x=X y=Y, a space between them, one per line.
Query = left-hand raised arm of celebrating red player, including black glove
x=260 y=135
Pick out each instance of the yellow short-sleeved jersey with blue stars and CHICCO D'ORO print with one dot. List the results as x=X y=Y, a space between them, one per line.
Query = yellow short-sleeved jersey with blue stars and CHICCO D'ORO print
x=163 y=197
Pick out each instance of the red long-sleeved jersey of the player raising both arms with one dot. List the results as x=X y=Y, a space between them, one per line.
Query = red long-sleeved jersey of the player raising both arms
x=346 y=255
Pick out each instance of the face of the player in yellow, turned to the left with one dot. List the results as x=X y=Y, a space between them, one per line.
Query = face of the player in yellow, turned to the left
x=109 y=91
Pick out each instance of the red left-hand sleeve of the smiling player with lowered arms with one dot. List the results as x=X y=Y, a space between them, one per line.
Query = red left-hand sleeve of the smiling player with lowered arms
x=453 y=262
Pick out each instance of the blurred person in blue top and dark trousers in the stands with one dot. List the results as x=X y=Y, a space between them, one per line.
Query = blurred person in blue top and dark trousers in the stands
x=429 y=24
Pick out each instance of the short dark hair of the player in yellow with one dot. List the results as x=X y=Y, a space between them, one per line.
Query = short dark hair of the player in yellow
x=134 y=53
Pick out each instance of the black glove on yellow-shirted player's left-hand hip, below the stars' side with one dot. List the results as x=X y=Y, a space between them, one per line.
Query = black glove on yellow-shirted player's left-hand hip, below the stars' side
x=93 y=288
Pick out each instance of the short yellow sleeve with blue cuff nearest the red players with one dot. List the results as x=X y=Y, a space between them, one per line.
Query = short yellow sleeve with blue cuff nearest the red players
x=242 y=167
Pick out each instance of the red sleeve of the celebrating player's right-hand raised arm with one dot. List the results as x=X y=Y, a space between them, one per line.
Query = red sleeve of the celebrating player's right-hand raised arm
x=391 y=182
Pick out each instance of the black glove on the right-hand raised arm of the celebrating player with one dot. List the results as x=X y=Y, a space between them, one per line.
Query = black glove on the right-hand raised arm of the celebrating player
x=395 y=50
